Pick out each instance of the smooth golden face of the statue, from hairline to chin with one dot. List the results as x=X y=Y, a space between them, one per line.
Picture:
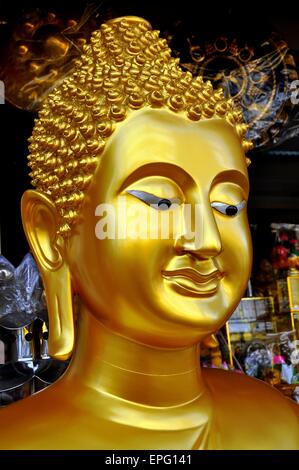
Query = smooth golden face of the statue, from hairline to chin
x=175 y=289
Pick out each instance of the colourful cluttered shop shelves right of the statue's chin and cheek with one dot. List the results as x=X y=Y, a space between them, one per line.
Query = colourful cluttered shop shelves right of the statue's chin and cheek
x=262 y=336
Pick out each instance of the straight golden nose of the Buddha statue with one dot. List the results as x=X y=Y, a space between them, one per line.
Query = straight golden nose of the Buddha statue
x=204 y=241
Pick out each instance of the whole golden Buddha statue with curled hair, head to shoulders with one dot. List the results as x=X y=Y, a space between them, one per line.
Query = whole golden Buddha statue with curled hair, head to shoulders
x=130 y=130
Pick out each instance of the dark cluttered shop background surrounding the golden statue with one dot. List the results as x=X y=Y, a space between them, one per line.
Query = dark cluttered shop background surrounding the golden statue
x=253 y=53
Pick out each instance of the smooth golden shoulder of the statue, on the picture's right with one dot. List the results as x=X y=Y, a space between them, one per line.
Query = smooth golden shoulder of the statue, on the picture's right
x=252 y=409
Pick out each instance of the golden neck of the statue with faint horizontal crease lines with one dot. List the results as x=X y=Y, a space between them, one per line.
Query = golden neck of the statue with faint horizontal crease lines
x=109 y=363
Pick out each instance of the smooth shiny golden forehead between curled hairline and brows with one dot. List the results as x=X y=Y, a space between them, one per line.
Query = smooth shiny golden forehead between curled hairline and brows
x=158 y=140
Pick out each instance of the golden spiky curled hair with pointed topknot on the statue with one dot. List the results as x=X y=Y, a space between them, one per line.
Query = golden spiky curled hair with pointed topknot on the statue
x=126 y=67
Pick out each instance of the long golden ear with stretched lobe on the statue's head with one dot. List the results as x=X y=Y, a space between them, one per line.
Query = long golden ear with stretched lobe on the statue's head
x=40 y=222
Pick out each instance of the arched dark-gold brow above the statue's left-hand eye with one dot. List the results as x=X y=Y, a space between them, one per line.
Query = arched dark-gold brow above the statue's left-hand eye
x=167 y=170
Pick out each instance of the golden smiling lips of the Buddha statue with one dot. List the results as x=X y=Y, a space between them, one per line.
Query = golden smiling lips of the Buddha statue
x=192 y=283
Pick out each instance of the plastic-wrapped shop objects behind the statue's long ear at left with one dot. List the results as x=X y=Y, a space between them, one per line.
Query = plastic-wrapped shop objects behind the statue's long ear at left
x=25 y=365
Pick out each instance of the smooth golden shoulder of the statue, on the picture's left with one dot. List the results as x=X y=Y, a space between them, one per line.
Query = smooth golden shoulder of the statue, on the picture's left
x=62 y=417
